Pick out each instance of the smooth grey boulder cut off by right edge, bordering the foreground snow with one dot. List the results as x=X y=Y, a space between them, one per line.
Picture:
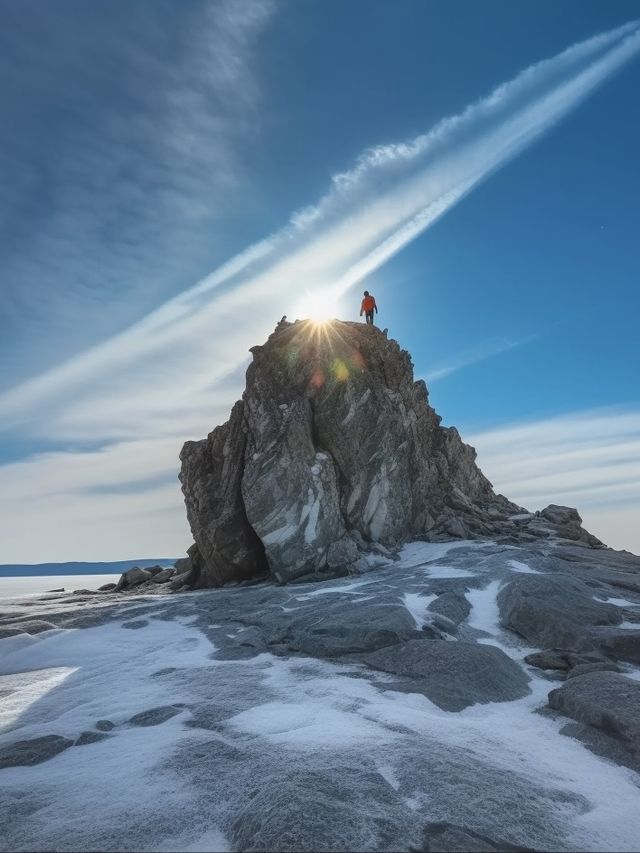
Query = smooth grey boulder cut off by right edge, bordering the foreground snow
x=605 y=700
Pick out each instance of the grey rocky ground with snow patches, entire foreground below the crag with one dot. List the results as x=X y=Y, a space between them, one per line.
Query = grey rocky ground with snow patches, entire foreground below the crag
x=314 y=715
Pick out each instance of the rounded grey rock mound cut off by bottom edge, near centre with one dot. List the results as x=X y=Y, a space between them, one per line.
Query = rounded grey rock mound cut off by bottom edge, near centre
x=346 y=809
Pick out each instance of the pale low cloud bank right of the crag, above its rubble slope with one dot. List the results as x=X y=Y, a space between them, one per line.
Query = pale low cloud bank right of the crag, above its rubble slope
x=589 y=459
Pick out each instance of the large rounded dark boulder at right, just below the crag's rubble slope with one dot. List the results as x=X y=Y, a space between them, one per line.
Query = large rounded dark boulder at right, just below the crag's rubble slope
x=554 y=611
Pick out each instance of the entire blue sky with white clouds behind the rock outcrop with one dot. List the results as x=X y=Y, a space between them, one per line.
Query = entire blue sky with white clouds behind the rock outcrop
x=176 y=176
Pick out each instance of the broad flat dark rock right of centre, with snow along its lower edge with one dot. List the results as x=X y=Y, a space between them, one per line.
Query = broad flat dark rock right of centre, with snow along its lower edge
x=453 y=675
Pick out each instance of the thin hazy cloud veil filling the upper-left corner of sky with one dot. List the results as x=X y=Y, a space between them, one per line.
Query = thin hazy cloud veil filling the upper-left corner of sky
x=120 y=132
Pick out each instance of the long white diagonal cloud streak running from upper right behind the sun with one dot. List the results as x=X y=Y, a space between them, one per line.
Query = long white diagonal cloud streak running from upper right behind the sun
x=162 y=366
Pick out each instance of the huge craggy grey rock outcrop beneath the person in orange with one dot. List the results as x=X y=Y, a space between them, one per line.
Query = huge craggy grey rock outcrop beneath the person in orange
x=334 y=449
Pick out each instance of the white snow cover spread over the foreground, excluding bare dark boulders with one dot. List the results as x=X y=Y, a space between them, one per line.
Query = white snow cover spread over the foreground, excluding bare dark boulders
x=204 y=724
